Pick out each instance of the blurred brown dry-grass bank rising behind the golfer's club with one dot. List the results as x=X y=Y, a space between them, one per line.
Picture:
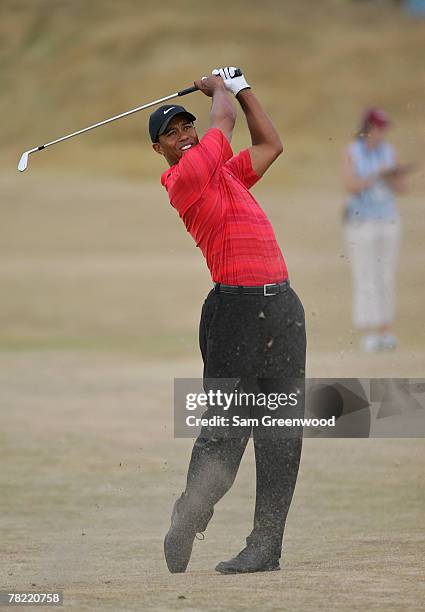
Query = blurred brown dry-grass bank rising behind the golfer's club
x=64 y=65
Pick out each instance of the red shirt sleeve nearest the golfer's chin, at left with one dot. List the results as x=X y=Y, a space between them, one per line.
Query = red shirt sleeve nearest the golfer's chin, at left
x=196 y=169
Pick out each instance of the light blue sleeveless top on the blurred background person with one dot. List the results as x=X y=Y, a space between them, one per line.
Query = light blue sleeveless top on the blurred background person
x=378 y=201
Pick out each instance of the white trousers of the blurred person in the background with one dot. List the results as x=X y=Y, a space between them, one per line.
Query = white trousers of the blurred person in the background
x=373 y=251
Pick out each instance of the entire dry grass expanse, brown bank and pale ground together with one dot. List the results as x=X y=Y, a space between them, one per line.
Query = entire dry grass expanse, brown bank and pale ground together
x=95 y=323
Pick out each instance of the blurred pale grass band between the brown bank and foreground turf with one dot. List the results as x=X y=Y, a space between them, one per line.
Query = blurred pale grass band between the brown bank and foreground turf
x=107 y=264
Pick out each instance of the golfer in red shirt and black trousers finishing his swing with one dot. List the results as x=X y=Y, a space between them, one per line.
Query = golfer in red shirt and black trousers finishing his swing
x=252 y=326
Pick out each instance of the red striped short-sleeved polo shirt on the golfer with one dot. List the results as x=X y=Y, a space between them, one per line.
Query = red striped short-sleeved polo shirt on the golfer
x=209 y=187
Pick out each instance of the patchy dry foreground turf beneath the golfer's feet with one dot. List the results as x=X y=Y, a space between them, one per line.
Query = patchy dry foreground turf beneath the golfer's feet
x=90 y=470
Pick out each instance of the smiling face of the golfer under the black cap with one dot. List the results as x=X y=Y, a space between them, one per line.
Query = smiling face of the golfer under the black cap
x=178 y=138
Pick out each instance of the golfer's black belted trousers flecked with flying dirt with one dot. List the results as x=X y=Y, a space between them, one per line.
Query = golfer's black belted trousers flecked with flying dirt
x=256 y=343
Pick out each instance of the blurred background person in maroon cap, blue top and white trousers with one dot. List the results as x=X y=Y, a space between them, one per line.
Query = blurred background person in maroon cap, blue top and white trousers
x=372 y=176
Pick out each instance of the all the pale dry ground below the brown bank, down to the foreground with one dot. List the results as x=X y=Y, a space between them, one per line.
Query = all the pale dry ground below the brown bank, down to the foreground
x=101 y=292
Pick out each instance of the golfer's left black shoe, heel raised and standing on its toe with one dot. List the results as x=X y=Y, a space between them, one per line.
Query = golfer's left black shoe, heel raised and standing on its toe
x=178 y=542
